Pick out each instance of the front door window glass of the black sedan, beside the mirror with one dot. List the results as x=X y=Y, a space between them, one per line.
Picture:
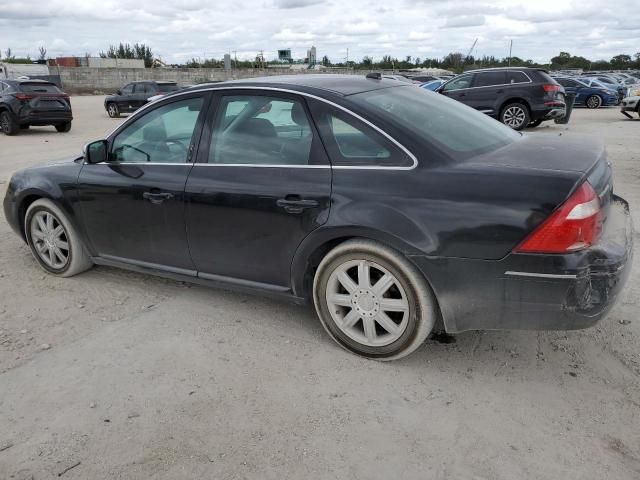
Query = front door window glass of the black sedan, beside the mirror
x=163 y=135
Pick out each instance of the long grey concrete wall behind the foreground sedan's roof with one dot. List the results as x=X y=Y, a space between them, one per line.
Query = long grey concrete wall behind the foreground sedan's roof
x=108 y=80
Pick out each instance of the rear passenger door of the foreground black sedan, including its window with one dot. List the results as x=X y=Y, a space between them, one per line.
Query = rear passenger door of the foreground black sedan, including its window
x=262 y=183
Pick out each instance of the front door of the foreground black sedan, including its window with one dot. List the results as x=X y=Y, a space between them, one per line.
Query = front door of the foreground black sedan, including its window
x=133 y=205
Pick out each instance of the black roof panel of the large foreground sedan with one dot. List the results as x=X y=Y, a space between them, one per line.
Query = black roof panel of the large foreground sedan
x=332 y=83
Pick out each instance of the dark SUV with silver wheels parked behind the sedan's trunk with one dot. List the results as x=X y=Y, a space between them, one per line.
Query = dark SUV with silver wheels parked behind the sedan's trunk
x=518 y=97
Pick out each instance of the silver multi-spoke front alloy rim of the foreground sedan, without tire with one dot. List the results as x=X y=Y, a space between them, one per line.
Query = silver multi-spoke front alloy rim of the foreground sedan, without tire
x=49 y=239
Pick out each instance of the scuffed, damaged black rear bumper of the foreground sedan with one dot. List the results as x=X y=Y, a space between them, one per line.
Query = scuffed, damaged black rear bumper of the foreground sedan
x=536 y=292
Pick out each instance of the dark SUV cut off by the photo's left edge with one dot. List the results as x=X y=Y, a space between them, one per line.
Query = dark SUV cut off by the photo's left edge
x=33 y=102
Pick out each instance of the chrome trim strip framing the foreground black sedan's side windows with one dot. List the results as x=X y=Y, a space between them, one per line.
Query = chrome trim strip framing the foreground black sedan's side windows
x=294 y=92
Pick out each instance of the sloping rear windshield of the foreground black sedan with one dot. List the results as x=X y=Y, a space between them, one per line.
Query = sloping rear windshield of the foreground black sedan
x=459 y=131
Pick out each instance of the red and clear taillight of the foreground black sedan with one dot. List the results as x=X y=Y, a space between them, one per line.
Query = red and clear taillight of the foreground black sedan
x=577 y=224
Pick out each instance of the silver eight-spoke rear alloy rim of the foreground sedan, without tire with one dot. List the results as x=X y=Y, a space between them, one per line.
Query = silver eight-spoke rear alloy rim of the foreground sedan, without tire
x=367 y=303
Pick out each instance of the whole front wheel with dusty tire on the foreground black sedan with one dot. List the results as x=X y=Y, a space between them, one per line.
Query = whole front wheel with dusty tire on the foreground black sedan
x=40 y=235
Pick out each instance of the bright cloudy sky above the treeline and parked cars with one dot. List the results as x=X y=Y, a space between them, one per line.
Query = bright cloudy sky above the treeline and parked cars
x=178 y=30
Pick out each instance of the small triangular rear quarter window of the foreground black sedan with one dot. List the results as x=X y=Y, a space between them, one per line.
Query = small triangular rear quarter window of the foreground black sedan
x=351 y=142
